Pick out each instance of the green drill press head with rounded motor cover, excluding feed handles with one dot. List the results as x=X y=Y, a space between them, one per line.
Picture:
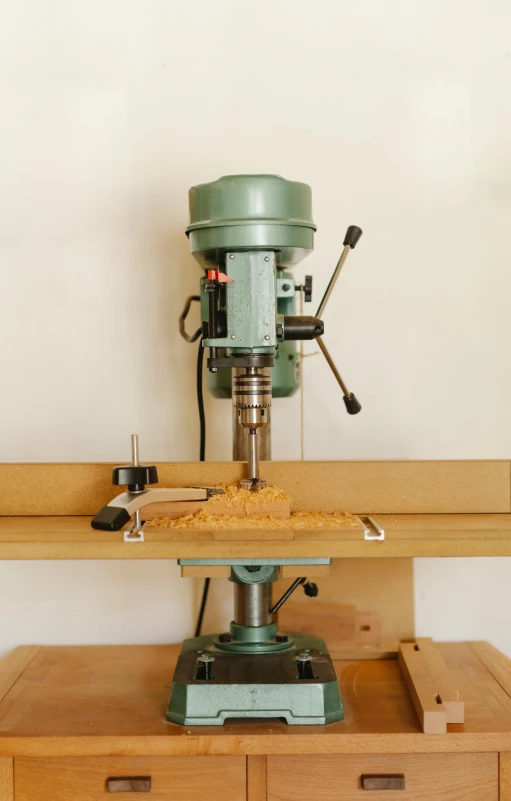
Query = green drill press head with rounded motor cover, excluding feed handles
x=246 y=231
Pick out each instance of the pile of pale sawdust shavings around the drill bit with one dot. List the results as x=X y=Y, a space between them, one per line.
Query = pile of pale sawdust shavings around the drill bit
x=235 y=496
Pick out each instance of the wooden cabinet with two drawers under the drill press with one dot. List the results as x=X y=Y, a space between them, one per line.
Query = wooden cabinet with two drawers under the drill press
x=73 y=717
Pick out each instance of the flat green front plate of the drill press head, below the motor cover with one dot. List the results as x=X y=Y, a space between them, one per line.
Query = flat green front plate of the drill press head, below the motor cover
x=254 y=275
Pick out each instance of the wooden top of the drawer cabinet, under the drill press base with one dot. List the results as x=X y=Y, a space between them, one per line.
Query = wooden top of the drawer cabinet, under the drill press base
x=87 y=701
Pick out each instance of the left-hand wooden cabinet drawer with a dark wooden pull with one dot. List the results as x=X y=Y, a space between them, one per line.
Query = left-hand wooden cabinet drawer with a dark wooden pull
x=221 y=778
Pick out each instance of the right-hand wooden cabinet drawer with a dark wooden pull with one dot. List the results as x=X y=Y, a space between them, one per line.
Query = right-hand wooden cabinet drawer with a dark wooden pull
x=431 y=777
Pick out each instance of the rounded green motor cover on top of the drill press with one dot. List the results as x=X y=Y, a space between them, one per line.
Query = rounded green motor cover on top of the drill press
x=251 y=212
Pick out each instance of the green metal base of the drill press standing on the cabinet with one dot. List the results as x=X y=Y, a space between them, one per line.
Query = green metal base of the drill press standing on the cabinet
x=265 y=685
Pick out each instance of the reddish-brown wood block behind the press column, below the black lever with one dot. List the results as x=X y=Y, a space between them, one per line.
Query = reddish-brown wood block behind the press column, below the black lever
x=335 y=623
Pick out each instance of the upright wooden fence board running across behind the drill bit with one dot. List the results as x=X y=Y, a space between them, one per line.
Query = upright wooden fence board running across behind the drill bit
x=358 y=487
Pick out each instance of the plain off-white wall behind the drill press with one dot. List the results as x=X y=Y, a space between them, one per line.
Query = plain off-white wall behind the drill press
x=395 y=112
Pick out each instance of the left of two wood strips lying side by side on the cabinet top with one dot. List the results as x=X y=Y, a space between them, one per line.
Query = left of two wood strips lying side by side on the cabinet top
x=431 y=713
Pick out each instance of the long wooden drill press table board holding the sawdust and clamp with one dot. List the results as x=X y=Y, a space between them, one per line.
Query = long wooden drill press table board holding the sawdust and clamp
x=405 y=536
